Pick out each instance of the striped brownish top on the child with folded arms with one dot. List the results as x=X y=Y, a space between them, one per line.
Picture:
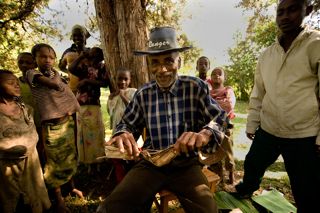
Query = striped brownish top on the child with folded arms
x=52 y=103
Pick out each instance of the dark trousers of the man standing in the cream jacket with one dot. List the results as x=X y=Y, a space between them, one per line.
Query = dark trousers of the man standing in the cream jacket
x=301 y=162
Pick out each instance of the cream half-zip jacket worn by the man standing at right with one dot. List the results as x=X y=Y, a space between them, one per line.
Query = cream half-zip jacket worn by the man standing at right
x=285 y=97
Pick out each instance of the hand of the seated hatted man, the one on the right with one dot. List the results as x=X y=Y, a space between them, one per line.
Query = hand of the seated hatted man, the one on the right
x=188 y=141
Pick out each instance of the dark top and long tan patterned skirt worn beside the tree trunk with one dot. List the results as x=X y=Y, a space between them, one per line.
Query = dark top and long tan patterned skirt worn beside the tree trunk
x=91 y=127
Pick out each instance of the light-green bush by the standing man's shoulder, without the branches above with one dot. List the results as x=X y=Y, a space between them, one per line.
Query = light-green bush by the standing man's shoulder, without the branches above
x=244 y=56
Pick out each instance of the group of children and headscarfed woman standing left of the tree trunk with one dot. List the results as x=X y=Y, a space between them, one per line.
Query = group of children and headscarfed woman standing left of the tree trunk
x=40 y=109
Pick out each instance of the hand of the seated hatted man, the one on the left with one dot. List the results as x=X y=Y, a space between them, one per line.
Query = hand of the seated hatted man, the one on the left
x=125 y=141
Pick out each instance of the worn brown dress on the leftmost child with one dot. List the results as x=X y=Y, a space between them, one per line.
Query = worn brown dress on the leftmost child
x=20 y=170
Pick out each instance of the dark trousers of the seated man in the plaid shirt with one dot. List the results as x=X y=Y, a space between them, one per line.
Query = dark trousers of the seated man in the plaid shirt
x=183 y=177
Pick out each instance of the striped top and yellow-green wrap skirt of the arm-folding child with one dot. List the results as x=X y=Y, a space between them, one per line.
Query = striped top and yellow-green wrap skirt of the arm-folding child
x=58 y=127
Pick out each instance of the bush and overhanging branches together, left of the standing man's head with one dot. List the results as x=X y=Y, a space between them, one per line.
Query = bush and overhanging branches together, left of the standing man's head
x=261 y=32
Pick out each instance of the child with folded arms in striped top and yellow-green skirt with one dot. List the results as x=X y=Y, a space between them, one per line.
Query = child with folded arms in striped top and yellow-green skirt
x=57 y=105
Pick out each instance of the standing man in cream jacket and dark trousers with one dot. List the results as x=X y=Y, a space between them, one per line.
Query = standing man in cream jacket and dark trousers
x=284 y=113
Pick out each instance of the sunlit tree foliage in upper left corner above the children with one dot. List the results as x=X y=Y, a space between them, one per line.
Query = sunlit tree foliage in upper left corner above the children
x=21 y=27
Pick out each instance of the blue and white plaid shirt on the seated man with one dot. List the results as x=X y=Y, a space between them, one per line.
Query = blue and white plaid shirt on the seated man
x=187 y=106
